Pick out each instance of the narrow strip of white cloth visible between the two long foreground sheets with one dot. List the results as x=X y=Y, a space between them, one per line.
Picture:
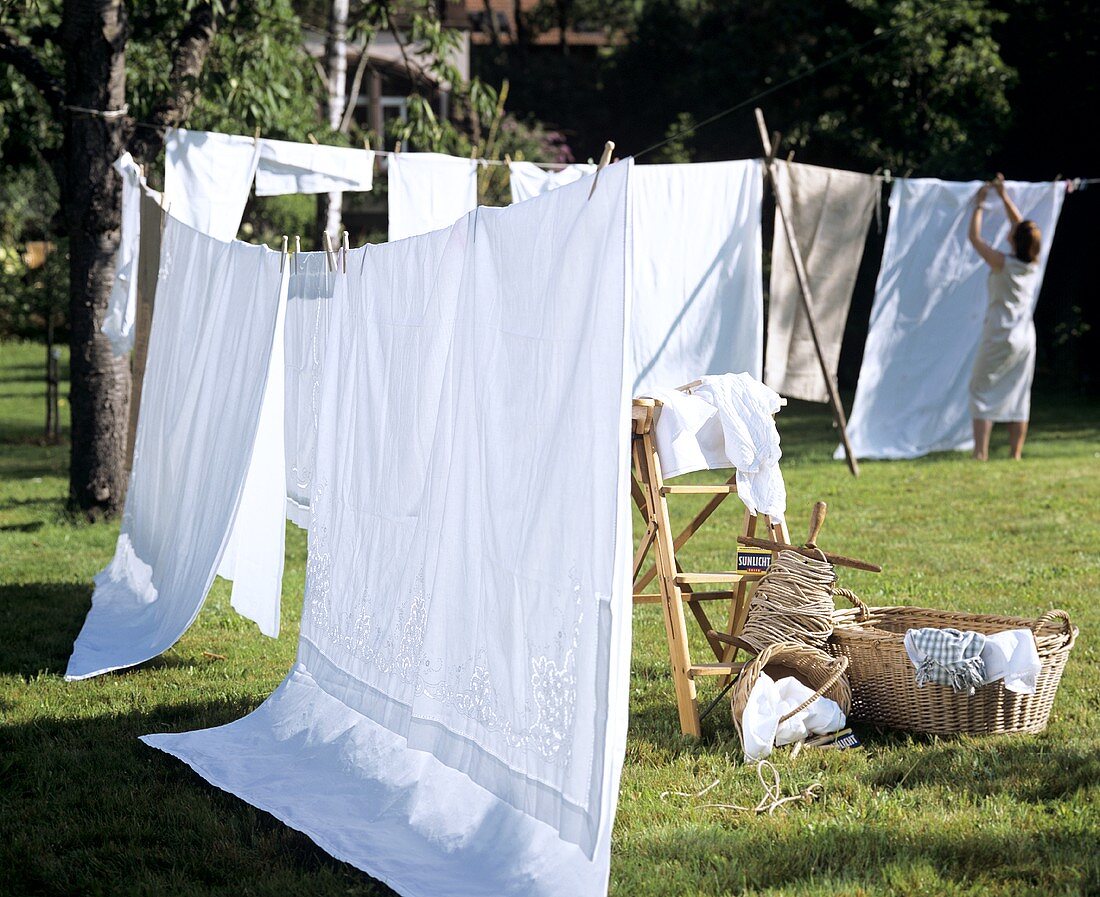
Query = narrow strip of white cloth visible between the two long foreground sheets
x=310 y=301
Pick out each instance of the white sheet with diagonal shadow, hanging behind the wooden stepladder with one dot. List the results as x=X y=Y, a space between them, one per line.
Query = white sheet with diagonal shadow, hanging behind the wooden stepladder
x=699 y=288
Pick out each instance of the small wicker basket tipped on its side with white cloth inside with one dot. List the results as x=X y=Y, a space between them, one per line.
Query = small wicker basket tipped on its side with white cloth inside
x=811 y=666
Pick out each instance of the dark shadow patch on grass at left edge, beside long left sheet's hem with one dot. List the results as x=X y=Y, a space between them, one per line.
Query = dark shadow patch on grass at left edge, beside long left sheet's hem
x=40 y=622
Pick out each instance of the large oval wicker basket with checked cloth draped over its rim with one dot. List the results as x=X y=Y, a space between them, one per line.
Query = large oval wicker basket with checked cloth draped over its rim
x=884 y=681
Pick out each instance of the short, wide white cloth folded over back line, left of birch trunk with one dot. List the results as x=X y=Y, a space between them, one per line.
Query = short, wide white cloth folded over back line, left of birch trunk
x=288 y=168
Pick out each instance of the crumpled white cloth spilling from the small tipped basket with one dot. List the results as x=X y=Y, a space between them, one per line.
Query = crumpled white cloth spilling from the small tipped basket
x=769 y=701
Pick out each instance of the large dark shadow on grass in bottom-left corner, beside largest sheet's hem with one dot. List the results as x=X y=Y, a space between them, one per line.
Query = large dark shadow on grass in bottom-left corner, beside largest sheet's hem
x=90 y=810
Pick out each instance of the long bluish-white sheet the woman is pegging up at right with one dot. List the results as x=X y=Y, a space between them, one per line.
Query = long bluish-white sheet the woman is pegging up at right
x=912 y=398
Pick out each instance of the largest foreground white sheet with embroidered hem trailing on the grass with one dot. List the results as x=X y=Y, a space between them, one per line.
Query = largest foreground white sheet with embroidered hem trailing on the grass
x=457 y=719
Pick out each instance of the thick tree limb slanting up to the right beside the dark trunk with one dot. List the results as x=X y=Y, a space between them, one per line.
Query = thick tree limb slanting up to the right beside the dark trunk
x=193 y=47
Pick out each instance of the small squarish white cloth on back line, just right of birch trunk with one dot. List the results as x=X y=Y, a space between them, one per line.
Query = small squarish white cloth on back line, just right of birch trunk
x=430 y=191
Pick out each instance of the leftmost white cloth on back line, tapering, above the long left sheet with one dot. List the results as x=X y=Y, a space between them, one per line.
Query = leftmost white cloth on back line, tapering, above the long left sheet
x=208 y=179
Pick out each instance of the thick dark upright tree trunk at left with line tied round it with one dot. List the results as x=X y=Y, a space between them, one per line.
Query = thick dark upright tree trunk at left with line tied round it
x=94 y=39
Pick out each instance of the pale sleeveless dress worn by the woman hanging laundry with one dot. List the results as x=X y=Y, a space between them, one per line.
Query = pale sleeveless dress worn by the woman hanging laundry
x=1000 y=385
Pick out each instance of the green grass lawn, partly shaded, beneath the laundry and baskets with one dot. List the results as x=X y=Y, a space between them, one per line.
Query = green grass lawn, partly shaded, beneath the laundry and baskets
x=87 y=810
